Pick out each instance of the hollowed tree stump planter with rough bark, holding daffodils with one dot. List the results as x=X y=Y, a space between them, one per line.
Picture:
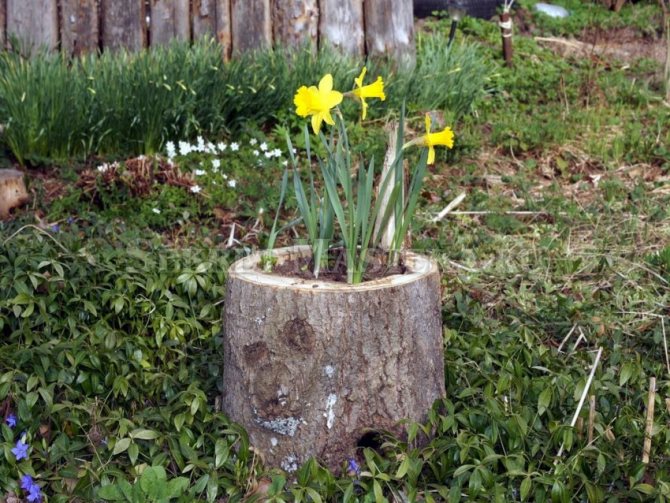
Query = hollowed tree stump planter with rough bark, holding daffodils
x=311 y=368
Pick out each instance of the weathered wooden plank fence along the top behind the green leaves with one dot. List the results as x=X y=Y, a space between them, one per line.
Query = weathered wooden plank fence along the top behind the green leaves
x=355 y=27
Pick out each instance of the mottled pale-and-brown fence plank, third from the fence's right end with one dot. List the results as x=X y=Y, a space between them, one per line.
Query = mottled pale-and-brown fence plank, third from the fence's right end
x=295 y=22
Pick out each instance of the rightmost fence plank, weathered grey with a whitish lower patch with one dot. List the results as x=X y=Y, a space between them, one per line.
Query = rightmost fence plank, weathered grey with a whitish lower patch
x=389 y=29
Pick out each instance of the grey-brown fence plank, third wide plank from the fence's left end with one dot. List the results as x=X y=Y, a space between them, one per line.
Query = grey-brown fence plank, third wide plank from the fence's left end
x=123 y=24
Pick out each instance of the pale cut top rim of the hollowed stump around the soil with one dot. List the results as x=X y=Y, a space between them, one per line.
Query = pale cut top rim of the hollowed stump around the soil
x=246 y=269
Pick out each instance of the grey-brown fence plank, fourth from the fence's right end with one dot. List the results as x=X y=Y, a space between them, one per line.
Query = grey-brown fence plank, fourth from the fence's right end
x=251 y=24
